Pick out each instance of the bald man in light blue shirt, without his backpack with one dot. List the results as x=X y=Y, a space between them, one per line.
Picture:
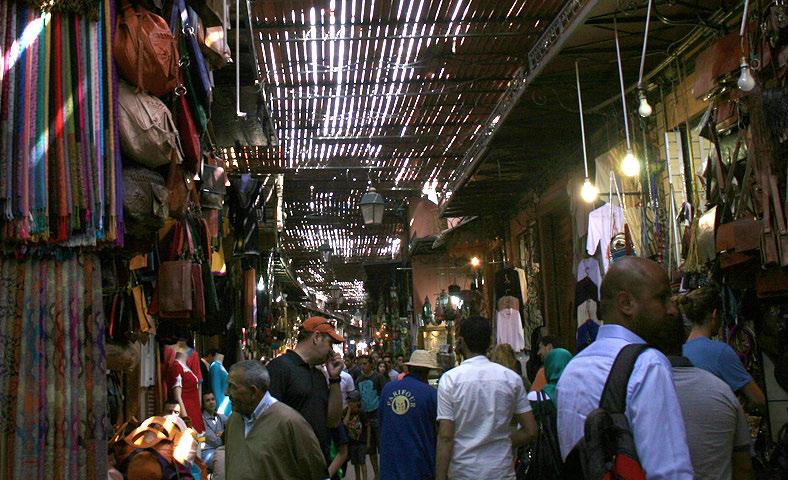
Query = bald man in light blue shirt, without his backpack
x=636 y=308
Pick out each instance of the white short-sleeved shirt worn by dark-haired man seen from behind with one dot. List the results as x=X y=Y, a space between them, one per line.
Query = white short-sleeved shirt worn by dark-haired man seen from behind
x=482 y=398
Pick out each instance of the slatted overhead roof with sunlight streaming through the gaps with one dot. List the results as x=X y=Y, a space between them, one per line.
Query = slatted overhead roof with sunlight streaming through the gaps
x=386 y=93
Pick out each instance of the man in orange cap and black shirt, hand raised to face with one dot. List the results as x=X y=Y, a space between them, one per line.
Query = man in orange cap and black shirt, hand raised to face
x=297 y=381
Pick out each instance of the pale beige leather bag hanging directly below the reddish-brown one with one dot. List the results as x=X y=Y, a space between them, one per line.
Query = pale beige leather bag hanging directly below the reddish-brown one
x=147 y=132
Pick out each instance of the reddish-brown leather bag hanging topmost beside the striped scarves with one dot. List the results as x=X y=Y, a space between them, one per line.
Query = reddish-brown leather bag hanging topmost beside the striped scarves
x=145 y=50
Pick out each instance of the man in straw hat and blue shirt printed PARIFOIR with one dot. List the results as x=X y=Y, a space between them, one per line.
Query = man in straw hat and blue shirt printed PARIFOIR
x=408 y=412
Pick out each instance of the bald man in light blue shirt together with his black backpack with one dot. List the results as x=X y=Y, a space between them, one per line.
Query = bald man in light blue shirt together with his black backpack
x=618 y=413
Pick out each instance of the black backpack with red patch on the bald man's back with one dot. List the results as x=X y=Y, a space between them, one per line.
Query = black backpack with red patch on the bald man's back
x=607 y=450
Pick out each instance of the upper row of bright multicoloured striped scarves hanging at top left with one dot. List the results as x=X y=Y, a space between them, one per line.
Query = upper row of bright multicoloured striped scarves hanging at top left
x=59 y=148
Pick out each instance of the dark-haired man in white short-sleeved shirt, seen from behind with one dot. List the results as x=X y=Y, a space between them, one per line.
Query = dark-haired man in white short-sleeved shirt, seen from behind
x=476 y=404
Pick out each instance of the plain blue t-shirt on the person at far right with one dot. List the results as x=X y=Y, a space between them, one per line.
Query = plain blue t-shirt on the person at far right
x=719 y=359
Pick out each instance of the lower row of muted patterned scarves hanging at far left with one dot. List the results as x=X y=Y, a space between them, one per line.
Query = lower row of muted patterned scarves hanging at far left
x=53 y=388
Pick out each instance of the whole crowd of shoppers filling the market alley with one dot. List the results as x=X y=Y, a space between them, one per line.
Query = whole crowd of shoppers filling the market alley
x=310 y=414
